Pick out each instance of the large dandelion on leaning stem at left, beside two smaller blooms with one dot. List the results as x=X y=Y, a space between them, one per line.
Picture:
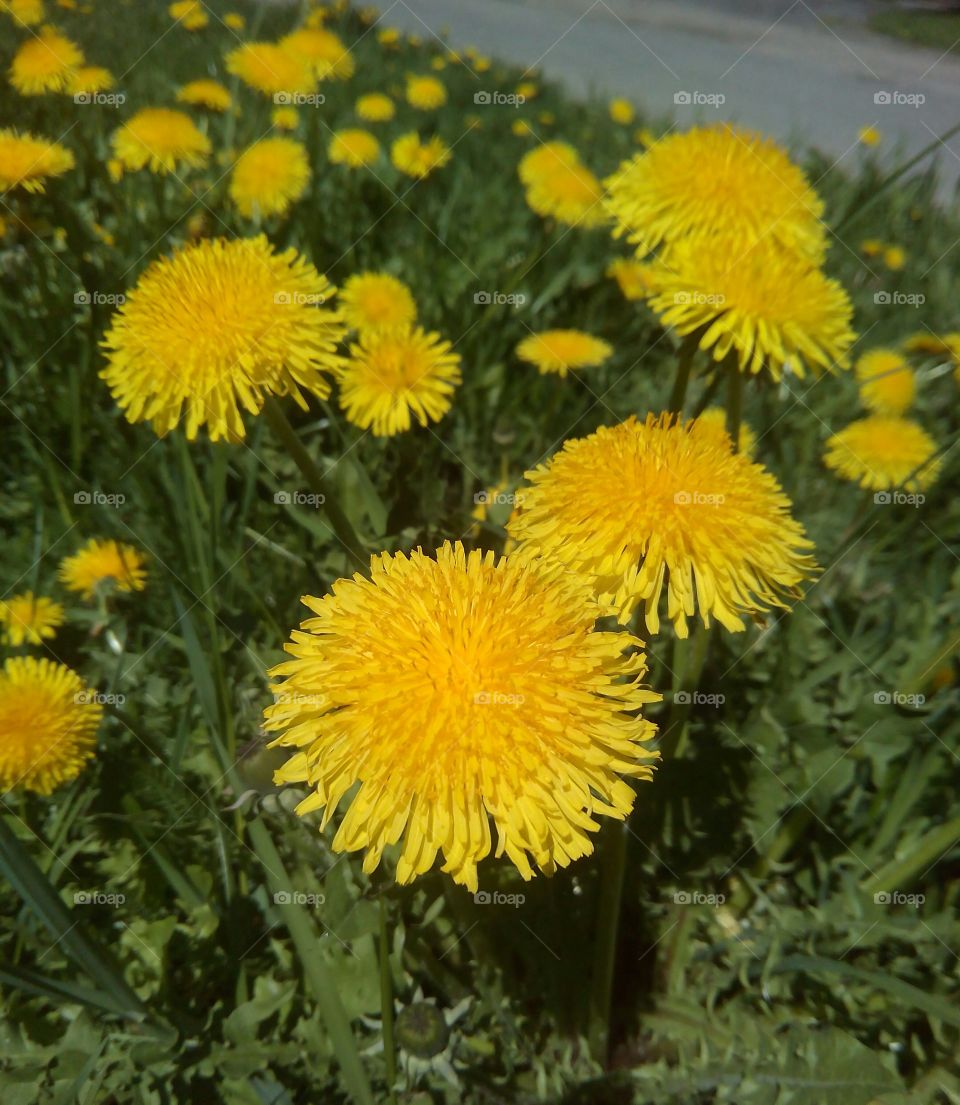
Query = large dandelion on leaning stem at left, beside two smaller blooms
x=218 y=327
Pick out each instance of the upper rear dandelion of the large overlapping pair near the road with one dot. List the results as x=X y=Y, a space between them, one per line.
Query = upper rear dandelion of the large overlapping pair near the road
x=714 y=181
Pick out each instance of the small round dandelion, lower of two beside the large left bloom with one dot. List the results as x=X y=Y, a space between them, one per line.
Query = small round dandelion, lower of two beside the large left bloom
x=395 y=373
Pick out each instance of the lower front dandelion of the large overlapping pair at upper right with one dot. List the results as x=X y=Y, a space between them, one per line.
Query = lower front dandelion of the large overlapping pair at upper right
x=764 y=304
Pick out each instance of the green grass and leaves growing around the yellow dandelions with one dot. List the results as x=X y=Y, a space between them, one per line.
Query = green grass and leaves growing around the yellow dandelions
x=797 y=799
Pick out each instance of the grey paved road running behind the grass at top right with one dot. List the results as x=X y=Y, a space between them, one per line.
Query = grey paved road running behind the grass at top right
x=806 y=73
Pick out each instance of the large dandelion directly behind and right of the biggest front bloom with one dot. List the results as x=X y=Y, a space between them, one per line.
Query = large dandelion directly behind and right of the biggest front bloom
x=640 y=504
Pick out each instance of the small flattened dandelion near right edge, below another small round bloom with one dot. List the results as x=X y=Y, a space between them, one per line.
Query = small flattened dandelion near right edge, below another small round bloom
x=883 y=454
